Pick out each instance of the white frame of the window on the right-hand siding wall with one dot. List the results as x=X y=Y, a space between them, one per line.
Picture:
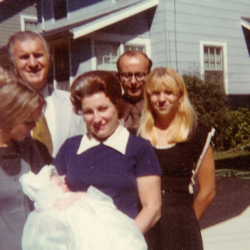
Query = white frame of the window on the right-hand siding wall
x=214 y=44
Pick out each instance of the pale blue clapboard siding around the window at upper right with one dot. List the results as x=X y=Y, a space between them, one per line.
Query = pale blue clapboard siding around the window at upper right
x=175 y=38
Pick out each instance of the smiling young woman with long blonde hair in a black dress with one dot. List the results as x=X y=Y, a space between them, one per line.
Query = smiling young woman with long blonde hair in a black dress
x=183 y=150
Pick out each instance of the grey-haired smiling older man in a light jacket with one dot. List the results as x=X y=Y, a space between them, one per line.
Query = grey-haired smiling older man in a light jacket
x=30 y=57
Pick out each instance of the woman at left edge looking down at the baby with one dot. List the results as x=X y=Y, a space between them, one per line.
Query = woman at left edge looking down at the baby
x=20 y=107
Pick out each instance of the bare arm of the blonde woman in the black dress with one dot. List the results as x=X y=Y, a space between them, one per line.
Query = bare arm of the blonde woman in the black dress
x=206 y=181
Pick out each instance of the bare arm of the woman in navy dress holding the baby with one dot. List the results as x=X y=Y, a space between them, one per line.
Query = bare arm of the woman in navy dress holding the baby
x=149 y=189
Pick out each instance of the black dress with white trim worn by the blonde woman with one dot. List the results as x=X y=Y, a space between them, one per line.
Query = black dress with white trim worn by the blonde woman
x=178 y=228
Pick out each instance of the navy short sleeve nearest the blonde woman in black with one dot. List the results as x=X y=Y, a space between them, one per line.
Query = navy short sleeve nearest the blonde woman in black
x=147 y=163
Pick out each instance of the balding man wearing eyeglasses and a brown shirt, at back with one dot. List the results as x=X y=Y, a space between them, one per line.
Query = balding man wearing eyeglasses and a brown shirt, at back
x=133 y=68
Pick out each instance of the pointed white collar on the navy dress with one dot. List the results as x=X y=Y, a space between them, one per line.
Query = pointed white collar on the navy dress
x=118 y=141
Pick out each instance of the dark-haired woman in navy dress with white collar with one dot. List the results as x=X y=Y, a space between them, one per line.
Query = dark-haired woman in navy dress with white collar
x=117 y=163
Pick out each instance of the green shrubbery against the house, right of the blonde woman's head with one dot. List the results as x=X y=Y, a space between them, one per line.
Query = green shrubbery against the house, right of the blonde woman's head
x=209 y=100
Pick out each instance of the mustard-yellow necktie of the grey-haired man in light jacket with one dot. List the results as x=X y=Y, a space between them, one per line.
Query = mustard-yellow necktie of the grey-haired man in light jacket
x=41 y=133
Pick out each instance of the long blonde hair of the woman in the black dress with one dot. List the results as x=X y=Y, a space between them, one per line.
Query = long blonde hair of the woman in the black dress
x=185 y=120
